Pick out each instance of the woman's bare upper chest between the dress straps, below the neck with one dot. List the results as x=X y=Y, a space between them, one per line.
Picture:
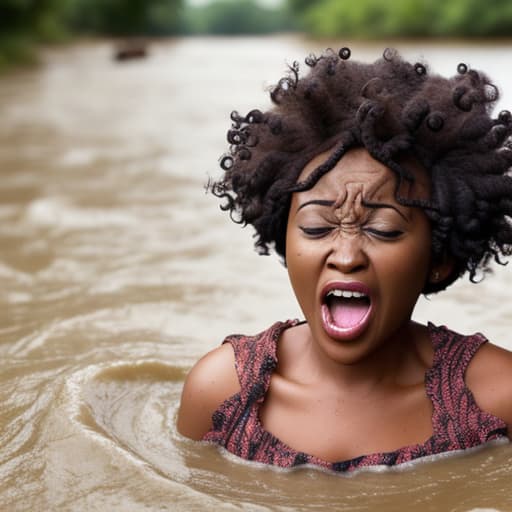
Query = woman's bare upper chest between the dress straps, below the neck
x=336 y=425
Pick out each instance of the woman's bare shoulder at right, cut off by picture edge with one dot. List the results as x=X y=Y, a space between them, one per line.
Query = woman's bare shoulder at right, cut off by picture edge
x=489 y=377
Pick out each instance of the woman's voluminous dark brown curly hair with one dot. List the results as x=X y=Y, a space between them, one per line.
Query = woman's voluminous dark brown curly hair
x=392 y=108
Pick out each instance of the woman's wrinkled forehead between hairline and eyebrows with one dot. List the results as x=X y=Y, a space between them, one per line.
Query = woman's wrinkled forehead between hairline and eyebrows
x=359 y=171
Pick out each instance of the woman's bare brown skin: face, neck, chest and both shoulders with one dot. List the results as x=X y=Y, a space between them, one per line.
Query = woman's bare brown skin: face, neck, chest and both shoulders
x=351 y=394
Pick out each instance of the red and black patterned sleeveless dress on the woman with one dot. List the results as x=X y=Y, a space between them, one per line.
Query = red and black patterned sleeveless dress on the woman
x=458 y=423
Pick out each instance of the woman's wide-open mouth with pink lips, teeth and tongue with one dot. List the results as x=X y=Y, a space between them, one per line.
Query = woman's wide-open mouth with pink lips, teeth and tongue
x=345 y=312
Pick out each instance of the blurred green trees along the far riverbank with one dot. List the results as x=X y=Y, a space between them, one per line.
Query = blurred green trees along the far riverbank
x=25 y=23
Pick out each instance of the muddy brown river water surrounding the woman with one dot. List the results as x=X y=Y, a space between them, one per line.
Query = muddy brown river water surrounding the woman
x=118 y=272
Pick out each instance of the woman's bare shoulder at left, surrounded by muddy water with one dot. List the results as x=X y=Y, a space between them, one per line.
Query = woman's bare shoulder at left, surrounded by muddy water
x=211 y=381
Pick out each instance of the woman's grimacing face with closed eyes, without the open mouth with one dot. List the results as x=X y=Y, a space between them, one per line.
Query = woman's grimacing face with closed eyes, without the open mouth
x=335 y=236
